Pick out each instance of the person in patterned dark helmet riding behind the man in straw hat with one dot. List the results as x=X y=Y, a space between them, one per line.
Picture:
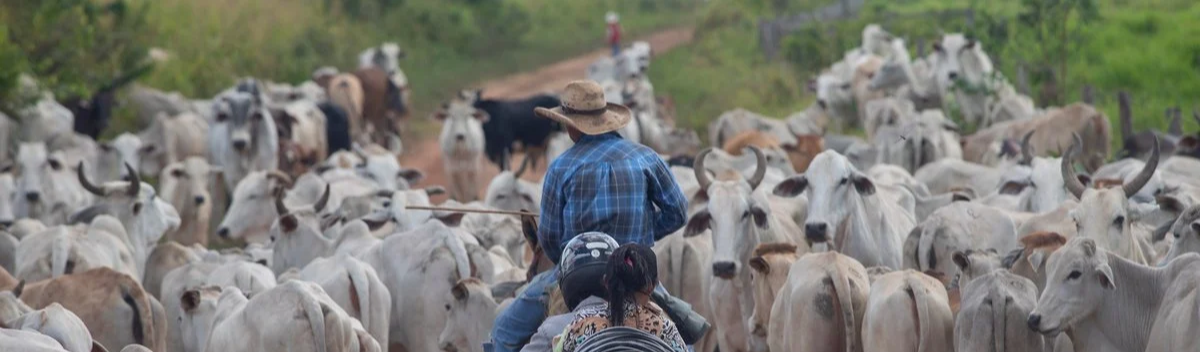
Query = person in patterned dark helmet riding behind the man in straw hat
x=581 y=282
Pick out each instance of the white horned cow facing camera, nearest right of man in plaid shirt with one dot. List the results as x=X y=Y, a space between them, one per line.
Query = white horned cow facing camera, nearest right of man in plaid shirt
x=741 y=216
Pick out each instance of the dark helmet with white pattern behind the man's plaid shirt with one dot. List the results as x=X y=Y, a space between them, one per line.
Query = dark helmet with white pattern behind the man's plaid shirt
x=583 y=266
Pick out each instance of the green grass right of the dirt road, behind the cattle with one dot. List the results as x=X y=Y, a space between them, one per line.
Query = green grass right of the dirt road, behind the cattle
x=1149 y=49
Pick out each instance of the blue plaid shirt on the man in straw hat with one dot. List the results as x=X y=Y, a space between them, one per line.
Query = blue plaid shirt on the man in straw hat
x=610 y=186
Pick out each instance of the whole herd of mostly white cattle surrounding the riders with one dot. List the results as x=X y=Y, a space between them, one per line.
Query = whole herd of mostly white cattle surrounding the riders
x=799 y=240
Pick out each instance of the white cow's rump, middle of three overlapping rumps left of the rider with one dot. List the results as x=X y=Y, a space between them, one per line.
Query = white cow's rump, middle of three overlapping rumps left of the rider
x=357 y=289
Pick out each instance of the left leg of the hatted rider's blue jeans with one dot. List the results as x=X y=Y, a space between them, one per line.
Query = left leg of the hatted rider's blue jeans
x=520 y=321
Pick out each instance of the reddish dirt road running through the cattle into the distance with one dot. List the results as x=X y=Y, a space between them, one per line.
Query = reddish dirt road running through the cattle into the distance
x=422 y=151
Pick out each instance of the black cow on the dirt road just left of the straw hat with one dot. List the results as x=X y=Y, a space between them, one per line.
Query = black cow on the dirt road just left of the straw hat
x=515 y=122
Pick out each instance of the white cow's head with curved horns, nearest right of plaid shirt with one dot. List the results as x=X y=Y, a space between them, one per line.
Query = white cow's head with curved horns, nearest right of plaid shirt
x=736 y=214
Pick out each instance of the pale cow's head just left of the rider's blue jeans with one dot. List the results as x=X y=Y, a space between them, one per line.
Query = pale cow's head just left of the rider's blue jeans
x=471 y=312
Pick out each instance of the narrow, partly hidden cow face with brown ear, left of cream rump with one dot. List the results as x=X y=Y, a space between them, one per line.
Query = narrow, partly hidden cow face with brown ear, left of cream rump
x=771 y=264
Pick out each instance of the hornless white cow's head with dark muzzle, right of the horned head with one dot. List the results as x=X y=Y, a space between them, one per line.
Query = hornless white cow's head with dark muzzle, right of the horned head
x=835 y=188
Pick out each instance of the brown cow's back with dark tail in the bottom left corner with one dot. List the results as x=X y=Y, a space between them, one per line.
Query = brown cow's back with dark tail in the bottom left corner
x=111 y=305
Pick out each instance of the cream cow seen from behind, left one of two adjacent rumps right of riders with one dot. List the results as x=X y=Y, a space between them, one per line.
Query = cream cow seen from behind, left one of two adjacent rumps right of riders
x=821 y=306
